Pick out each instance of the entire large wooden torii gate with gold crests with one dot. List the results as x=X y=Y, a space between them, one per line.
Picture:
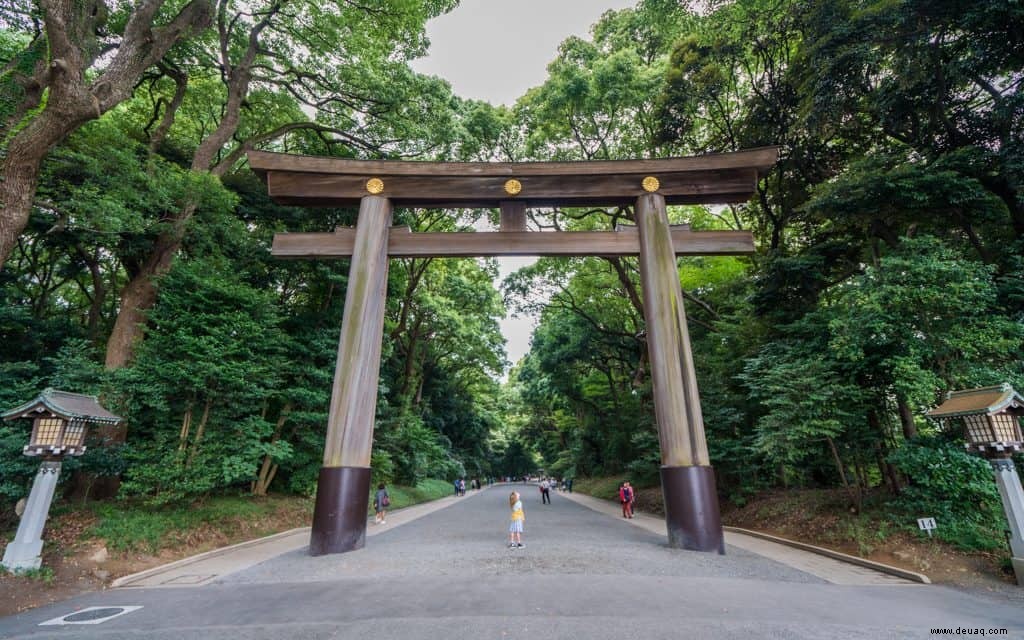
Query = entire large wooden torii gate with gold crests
x=378 y=187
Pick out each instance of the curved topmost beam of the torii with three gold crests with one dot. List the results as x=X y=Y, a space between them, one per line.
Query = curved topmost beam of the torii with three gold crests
x=306 y=181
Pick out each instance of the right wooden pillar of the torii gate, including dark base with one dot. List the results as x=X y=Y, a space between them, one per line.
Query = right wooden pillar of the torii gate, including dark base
x=692 y=510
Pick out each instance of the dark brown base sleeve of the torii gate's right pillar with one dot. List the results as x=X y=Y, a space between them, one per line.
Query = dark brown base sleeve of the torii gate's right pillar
x=692 y=509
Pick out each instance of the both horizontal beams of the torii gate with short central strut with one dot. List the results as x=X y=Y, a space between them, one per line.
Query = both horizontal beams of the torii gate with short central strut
x=714 y=179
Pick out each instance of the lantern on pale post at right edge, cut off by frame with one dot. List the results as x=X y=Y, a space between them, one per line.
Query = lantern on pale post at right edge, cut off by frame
x=990 y=418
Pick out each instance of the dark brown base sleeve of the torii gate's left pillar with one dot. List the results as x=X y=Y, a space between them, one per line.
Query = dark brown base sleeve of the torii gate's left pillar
x=340 y=514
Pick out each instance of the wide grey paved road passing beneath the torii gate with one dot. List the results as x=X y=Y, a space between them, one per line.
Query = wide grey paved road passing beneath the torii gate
x=582 y=575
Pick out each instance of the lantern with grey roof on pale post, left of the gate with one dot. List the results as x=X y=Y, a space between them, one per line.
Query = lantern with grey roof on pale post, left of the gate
x=61 y=421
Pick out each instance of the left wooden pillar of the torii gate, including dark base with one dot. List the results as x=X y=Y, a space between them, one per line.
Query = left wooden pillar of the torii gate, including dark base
x=344 y=487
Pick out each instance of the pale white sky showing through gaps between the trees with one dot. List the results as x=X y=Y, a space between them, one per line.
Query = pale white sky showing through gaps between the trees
x=495 y=51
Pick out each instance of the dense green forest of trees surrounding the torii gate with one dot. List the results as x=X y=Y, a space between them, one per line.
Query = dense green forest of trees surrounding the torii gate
x=890 y=267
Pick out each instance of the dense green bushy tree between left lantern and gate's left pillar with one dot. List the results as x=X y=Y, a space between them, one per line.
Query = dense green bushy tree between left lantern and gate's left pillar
x=214 y=355
